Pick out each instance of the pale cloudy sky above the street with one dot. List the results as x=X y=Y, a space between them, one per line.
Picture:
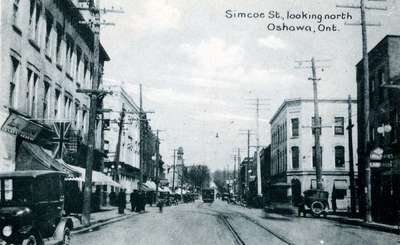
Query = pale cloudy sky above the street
x=201 y=71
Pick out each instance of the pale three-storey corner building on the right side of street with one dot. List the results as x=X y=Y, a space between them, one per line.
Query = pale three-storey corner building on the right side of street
x=292 y=149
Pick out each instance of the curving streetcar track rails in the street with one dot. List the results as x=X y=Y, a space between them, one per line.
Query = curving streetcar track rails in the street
x=238 y=239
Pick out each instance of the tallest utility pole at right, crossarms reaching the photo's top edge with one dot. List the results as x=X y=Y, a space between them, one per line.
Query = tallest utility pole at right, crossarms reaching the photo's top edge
x=365 y=151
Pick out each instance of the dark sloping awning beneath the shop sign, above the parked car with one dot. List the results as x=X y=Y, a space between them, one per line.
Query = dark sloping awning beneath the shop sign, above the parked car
x=34 y=157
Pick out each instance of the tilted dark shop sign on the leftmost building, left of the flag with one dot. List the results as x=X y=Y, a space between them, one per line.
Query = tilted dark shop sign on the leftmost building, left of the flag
x=23 y=127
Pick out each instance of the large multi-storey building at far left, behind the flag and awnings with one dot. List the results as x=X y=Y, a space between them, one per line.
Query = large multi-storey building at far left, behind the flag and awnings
x=46 y=56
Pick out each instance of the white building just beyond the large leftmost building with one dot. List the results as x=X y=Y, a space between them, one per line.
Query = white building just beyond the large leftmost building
x=128 y=166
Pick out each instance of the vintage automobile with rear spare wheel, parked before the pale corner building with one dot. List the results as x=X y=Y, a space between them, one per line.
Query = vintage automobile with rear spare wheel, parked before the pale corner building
x=314 y=202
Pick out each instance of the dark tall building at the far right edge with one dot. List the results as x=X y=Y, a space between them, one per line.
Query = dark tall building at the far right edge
x=384 y=127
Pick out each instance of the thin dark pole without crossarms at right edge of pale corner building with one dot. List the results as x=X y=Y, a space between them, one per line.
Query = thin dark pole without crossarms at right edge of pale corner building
x=351 y=161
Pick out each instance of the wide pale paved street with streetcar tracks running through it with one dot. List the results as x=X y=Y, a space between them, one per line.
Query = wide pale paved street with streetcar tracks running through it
x=221 y=223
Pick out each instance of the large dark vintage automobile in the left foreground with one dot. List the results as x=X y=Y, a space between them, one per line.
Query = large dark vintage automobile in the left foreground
x=31 y=208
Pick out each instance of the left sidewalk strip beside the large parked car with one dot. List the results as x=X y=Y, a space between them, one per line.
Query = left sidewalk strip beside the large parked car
x=106 y=215
